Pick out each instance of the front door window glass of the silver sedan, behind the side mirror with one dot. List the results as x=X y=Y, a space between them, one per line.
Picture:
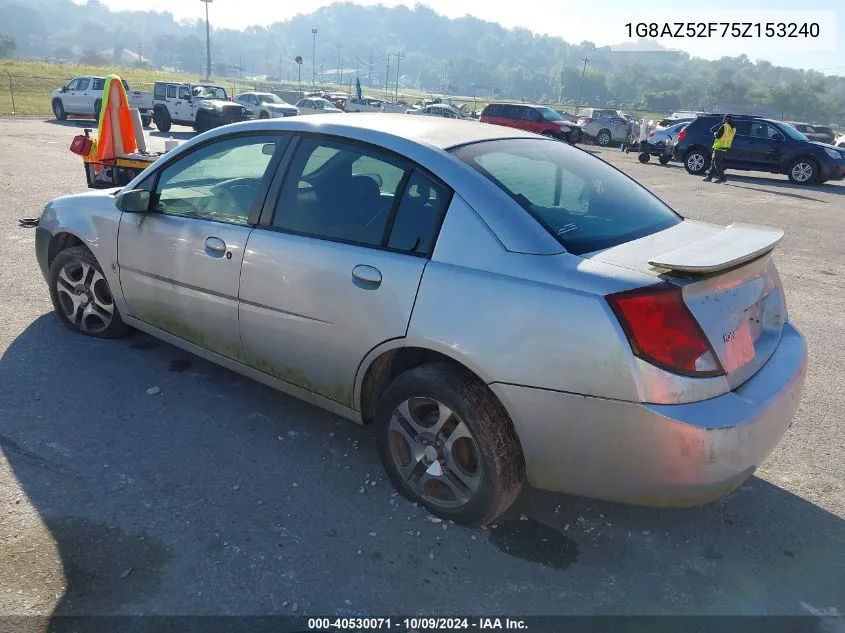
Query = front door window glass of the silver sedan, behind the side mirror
x=219 y=181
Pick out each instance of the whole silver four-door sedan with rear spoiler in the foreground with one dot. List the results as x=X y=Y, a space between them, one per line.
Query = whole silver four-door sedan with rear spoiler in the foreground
x=502 y=307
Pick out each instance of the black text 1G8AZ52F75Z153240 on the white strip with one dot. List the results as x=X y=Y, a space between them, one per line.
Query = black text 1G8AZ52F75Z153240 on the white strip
x=724 y=29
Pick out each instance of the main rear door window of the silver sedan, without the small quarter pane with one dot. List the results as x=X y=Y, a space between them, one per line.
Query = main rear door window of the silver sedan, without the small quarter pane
x=347 y=197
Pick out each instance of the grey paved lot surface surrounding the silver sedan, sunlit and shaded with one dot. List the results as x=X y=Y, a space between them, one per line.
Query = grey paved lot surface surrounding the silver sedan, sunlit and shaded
x=218 y=495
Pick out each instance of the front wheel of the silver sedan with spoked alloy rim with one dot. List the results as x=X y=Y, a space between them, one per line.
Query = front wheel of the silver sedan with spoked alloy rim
x=67 y=264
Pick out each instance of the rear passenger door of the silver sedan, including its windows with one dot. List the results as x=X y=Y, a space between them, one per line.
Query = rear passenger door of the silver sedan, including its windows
x=333 y=269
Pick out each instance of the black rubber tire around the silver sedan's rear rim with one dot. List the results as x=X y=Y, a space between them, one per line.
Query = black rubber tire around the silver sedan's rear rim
x=494 y=447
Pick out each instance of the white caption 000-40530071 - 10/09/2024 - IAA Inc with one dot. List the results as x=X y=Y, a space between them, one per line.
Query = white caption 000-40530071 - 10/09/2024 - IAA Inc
x=417 y=624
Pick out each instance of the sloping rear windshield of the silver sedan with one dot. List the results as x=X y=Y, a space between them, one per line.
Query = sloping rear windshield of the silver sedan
x=582 y=201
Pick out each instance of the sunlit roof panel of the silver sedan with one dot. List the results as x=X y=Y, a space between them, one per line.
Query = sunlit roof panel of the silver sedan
x=440 y=133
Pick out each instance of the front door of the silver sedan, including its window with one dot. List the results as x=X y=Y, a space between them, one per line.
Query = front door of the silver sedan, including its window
x=180 y=263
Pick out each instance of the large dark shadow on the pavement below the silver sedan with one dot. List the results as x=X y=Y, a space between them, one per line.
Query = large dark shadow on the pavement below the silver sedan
x=166 y=484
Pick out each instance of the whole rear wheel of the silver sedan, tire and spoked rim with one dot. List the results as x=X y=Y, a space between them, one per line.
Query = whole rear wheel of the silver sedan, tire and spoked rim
x=446 y=442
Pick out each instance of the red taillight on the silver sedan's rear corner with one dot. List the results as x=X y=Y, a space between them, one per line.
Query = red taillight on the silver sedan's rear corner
x=662 y=331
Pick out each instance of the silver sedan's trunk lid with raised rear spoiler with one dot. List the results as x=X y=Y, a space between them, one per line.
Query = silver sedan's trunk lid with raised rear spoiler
x=729 y=281
